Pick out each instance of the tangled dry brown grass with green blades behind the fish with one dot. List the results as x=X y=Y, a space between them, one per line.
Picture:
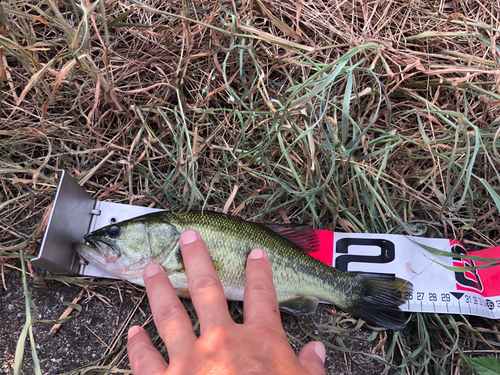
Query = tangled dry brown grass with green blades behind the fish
x=377 y=116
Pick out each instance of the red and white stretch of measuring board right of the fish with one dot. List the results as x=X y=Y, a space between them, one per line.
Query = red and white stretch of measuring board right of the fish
x=435 y=288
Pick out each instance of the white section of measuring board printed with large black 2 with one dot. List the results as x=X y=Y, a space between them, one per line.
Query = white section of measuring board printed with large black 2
x=434 y=287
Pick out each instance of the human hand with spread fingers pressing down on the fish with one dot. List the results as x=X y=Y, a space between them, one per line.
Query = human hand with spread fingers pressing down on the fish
x=258 y=346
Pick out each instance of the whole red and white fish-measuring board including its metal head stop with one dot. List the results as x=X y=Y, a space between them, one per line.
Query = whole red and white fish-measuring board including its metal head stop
x=435 y=288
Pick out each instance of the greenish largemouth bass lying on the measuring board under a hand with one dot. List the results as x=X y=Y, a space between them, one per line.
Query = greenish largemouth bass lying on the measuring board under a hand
x=124 y=249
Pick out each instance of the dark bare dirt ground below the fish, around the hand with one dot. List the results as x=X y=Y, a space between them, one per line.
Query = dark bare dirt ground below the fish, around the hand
x=107 y=312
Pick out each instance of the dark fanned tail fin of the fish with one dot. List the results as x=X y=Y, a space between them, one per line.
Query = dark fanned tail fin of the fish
x=379 y=298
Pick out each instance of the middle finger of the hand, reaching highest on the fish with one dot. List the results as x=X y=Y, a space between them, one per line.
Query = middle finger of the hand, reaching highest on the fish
x=204 y=284
